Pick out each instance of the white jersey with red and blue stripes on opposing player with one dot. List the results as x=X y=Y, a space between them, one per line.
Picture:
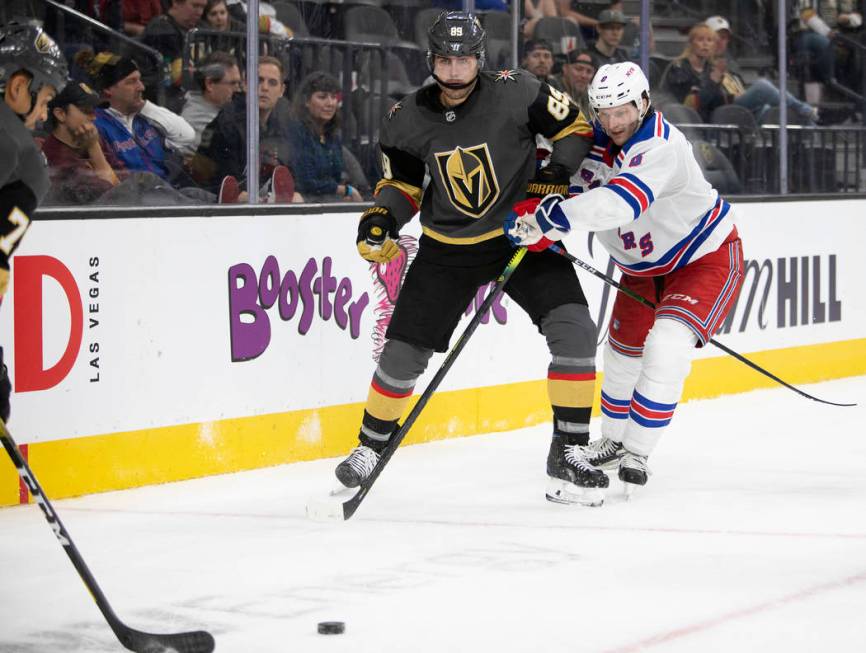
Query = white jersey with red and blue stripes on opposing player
x=649 y=203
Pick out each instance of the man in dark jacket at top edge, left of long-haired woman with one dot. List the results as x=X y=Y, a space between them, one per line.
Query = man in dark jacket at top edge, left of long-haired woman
x=166 y=34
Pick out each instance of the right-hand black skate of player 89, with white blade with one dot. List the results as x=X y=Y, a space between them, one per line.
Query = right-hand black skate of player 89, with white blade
x=572 y=478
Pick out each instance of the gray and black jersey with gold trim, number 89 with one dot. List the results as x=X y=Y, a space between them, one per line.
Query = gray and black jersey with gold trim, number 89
x=479 y=155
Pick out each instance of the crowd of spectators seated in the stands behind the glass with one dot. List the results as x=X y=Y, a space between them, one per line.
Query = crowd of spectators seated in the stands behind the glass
x=129 y=130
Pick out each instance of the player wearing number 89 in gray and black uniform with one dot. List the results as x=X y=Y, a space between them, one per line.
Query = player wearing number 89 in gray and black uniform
x=474 y=132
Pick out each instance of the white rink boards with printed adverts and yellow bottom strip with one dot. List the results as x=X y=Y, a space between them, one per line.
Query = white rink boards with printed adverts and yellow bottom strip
x=145 y=350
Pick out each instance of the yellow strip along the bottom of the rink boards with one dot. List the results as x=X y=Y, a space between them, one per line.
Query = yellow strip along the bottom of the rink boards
x=124 y=460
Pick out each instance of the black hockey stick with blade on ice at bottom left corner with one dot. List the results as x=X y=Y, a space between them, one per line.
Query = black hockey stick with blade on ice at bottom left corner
x=135 y=640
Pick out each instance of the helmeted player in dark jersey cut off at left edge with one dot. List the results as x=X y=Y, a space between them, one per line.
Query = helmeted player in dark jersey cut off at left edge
x=29 y=62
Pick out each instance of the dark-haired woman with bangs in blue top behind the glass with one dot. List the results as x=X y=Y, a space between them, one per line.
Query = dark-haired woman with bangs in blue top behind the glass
x=317 y=150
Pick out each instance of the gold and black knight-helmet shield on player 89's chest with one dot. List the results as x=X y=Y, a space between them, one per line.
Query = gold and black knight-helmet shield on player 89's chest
x=468 y=176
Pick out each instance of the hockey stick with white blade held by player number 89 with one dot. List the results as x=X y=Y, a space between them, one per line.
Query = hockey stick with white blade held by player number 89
x=349 y=507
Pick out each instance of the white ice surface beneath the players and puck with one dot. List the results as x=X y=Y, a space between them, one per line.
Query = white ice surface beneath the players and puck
x=750 y=536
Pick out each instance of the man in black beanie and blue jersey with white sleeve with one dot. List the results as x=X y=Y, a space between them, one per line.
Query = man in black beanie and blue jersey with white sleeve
x=140 y=134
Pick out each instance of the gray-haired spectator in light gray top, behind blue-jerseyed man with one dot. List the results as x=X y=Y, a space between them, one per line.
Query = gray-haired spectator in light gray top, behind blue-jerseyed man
x=218 y=78
